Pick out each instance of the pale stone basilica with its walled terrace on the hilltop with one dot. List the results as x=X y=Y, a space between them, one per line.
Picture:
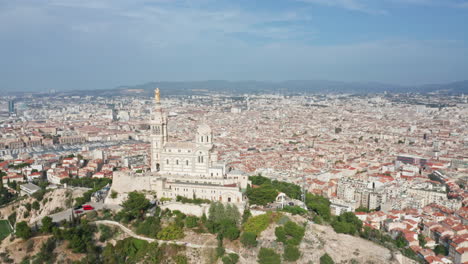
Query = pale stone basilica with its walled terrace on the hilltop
x=188 y=169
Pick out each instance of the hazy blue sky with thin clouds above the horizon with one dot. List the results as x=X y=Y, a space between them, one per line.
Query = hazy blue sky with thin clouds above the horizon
x=93 y=44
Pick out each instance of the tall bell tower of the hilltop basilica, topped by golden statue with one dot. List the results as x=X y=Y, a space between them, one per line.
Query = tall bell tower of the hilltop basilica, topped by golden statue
x=158 y=127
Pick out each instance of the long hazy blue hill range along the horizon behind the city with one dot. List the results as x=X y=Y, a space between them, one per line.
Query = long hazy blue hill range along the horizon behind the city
x=290 y=87
